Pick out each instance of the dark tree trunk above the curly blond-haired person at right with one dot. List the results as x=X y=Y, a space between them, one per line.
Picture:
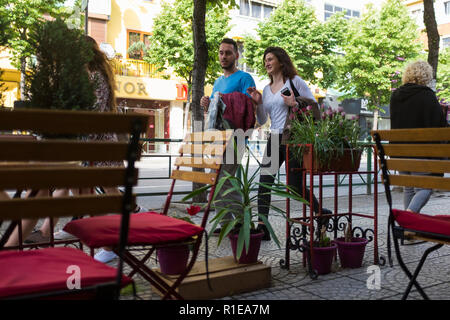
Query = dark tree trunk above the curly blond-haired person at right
x=429 y=20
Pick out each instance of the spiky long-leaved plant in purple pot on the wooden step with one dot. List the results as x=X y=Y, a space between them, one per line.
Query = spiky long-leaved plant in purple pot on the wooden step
x=242 y=230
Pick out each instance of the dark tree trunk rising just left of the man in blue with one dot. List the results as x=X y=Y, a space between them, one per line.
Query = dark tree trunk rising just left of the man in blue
x=199 y=73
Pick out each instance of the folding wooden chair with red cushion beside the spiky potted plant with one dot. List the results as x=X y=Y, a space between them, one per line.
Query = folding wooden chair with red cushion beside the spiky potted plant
x=152 y=230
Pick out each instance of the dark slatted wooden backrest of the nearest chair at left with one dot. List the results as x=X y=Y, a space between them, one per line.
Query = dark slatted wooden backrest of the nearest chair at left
x=57 y=162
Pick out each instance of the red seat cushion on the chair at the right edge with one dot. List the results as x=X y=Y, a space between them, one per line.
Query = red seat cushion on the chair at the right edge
x=439 y=224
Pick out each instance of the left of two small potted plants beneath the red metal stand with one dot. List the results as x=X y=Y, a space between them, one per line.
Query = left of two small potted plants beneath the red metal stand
x=324 y=251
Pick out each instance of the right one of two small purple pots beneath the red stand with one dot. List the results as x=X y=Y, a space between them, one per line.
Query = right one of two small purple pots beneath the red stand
x=351 y=253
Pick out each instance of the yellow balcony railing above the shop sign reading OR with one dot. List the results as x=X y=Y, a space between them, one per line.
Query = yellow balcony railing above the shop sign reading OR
x=137 y=68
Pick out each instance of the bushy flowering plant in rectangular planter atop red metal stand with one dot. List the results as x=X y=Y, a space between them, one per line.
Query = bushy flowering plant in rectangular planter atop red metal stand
x=334 y=139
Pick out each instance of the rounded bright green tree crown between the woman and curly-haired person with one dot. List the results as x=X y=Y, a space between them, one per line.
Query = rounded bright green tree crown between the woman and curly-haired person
x=377 y=48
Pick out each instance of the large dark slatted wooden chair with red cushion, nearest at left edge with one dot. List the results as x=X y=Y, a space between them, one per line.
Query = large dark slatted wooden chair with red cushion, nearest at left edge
x=45 y=164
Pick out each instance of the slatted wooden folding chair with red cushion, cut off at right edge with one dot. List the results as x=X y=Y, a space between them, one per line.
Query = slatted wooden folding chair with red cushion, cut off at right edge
x=415 y=151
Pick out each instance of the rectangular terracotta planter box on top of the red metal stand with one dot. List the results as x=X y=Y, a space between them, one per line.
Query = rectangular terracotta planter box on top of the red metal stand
x=346 y=162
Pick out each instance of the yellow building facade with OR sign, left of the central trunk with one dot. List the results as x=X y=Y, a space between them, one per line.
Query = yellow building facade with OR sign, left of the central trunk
x=117 y=24
